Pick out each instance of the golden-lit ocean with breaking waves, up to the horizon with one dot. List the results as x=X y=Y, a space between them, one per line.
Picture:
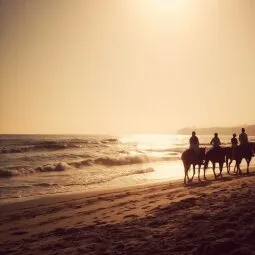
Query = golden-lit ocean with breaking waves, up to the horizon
x=40 y=165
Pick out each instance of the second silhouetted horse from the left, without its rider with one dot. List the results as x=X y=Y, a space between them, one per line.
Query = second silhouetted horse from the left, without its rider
x=215 y=155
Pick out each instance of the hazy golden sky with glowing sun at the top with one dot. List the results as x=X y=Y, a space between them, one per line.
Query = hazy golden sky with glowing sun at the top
x=121 y=66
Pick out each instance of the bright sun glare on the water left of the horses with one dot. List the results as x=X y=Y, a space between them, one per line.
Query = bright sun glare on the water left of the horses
x=161 y=146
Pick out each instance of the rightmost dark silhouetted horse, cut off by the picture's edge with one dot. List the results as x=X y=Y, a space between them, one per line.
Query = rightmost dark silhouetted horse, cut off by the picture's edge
x=245 y=151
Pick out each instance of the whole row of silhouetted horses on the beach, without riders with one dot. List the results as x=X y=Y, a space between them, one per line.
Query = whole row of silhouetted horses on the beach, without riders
x=216 y=155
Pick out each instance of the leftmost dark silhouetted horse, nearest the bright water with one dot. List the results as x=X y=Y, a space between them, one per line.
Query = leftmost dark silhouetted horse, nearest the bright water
x=190 y=157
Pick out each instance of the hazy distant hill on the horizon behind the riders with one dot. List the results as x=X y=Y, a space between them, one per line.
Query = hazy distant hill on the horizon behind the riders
x=250 y=130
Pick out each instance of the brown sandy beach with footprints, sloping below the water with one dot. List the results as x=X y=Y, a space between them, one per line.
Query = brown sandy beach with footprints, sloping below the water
x=211 y=217
